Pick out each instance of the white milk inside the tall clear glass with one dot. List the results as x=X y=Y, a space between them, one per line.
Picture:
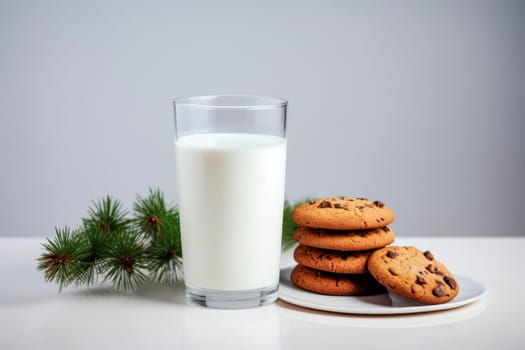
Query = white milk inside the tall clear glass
x=231 y=194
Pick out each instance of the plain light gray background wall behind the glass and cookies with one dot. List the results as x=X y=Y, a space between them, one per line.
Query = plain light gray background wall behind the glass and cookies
x=418 y=103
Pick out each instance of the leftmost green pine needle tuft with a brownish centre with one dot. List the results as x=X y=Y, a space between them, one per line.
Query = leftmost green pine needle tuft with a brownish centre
x=62 y=257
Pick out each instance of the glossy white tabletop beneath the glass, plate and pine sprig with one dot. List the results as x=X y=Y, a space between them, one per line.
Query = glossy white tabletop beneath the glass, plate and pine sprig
x=34 y=315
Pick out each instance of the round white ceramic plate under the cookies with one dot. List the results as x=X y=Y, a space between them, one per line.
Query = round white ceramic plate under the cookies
x=381 y=304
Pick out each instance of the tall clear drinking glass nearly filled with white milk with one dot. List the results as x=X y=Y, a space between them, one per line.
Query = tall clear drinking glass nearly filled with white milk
x=230 y=166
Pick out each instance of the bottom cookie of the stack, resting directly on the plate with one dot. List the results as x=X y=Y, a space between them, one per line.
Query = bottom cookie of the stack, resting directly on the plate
x=329 y=283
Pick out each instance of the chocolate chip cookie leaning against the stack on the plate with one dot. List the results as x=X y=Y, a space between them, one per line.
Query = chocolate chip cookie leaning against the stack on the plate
x=413 y=274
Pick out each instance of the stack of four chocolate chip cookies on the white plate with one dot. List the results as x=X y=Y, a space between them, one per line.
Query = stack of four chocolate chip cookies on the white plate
x=336 y=236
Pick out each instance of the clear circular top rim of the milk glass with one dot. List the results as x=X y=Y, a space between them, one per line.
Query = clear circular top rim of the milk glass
x=206 y=102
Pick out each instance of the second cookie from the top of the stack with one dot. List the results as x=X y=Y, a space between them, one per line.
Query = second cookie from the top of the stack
x=344 y=240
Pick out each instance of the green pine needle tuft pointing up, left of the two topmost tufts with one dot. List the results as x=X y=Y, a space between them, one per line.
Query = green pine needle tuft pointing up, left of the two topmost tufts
x=107 y=215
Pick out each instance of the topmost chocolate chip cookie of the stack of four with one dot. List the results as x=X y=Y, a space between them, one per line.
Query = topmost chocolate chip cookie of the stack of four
x=343 y=213
